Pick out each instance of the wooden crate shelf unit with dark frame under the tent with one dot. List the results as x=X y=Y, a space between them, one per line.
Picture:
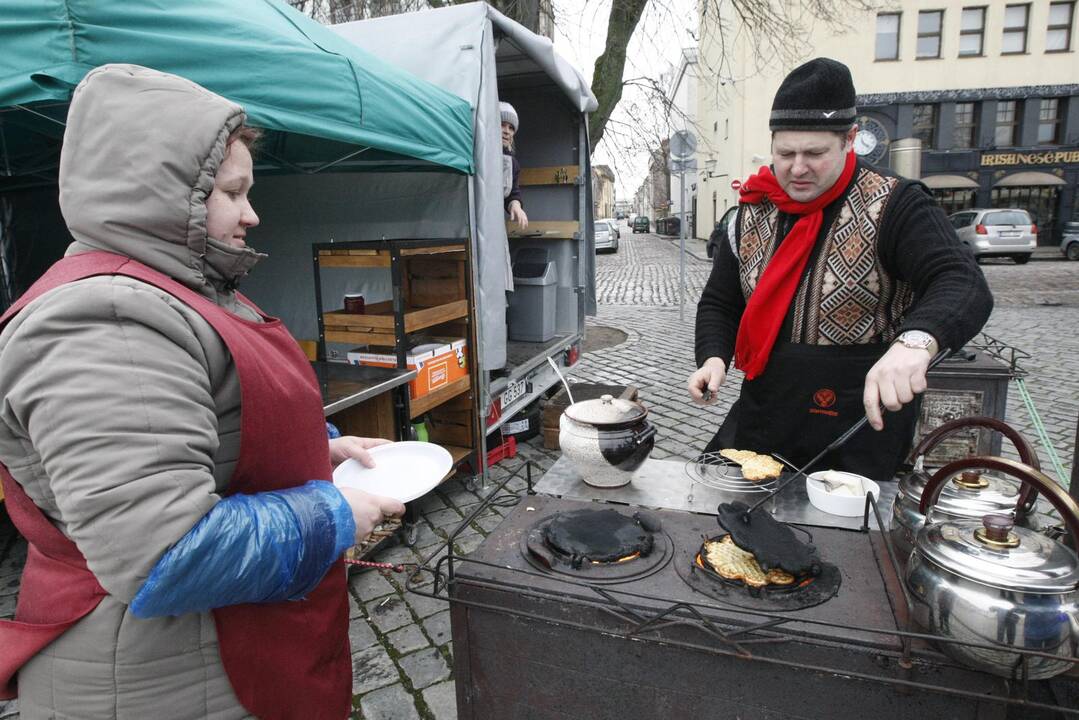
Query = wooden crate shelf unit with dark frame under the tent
x=432 y=286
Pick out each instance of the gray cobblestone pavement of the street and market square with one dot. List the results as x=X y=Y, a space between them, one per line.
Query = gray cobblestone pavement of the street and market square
x=403 y=658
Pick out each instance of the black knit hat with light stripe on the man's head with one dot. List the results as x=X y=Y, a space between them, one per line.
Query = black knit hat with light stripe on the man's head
x=818 y=96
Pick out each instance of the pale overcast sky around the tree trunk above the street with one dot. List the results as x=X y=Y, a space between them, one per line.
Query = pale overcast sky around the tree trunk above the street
x=666 y=28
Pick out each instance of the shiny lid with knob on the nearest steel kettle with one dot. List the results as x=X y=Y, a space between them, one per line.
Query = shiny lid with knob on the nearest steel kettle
x=995 y=553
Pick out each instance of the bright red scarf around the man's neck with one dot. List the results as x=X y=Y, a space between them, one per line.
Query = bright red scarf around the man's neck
x=771 y=300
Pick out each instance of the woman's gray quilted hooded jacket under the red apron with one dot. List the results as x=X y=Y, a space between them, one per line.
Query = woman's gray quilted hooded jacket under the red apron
x=121 y=405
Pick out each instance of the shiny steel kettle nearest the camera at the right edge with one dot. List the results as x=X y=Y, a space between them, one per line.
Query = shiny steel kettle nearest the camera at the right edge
x=991 y=589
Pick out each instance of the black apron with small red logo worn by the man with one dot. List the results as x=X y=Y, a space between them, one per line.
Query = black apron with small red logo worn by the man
x=807 y=398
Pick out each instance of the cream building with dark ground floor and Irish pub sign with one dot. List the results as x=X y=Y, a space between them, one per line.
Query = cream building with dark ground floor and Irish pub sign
x=990 y=89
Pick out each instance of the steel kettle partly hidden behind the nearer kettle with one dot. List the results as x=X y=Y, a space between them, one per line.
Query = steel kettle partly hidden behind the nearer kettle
x=968 y=496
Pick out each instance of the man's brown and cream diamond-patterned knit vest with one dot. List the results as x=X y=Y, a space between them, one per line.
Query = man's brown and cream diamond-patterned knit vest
x=846 y=297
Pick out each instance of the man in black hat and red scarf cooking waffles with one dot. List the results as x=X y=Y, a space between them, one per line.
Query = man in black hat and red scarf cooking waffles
x=840 y=284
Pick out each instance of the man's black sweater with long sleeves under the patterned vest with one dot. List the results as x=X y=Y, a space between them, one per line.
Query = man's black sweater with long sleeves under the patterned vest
x=917 y=244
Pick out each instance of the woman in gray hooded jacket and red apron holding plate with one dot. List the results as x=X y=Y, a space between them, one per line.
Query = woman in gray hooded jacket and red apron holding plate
x=163 y=444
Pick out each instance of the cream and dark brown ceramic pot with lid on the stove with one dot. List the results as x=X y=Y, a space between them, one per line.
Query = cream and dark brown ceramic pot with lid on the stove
x=607 y=440
